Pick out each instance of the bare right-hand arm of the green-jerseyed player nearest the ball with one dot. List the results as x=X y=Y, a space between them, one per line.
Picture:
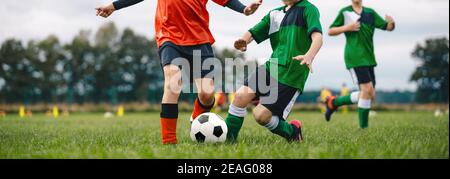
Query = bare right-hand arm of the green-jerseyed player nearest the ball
x=316 y=45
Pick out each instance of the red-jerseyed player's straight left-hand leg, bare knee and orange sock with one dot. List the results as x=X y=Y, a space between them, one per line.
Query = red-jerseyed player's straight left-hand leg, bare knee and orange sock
x=169 y=104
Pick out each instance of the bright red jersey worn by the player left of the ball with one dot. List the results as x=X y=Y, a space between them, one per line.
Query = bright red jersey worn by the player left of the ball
x=184 y=22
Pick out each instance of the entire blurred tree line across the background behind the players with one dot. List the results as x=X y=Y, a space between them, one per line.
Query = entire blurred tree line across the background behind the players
x=116 y=66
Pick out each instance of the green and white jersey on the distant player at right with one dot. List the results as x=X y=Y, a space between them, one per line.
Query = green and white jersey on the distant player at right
x=359 y=50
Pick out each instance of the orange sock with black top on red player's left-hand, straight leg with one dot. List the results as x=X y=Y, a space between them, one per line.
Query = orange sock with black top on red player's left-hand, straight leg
x=169 y=118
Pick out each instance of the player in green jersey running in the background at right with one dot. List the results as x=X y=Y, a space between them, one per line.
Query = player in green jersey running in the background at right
x=358 y=23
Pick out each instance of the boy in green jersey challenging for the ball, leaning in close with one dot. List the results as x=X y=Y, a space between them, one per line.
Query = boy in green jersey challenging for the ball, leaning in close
x=295 y=34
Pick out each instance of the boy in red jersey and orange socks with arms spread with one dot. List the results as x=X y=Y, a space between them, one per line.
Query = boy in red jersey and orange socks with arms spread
x=182 y=27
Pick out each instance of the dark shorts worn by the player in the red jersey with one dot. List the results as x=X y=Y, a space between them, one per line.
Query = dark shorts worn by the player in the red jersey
x=169 y=52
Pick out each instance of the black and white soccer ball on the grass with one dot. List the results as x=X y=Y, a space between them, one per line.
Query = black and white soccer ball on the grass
x=209 y=128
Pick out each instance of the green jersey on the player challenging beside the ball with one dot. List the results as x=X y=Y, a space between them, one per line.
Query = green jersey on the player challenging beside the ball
x=289 y=32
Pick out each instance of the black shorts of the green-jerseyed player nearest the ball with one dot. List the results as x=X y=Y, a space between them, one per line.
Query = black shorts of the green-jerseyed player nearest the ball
x=282 y=102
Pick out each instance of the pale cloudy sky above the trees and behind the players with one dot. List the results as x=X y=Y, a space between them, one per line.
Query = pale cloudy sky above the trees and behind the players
x=416 y=21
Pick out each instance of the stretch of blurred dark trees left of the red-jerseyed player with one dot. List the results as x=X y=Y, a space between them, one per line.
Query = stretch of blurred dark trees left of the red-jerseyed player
x=114 y=66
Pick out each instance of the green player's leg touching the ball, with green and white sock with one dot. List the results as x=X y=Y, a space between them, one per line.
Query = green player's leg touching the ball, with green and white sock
x=237 y=111
